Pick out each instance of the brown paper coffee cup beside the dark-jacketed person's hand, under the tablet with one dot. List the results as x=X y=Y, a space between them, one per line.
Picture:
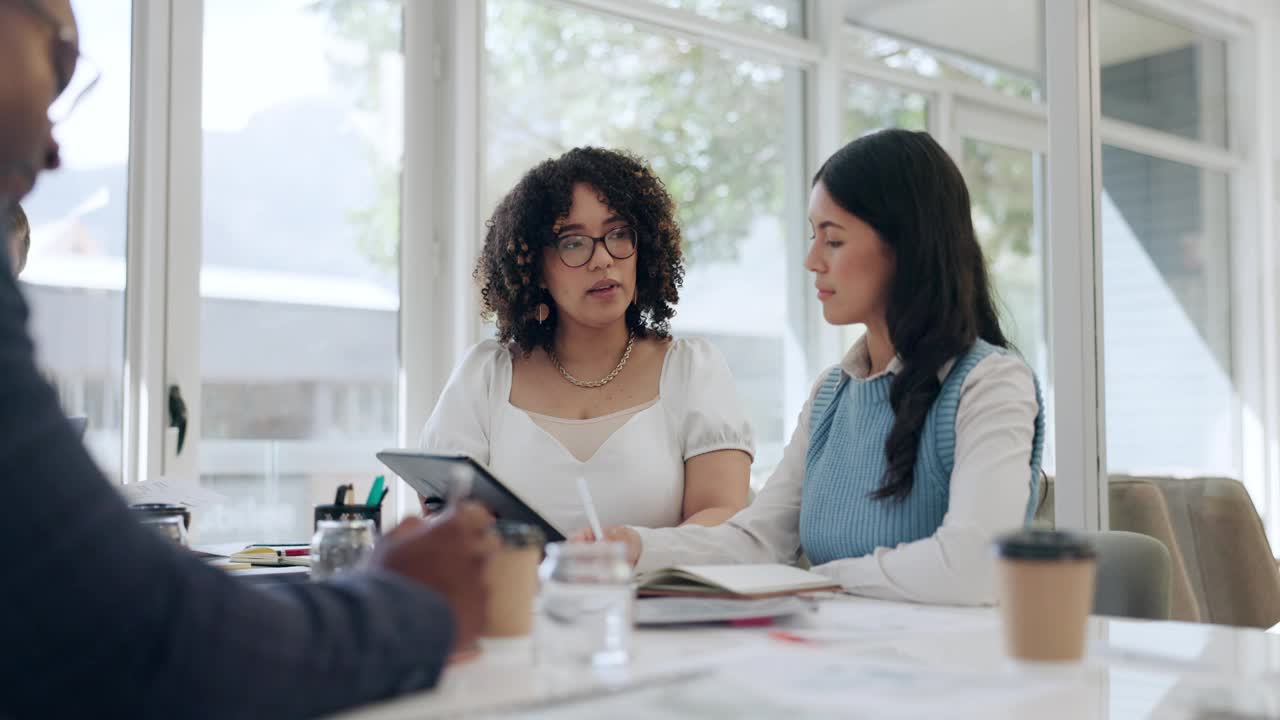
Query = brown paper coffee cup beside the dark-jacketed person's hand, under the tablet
x=513 y=576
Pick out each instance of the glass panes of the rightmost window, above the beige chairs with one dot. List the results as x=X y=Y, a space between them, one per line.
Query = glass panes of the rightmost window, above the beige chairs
x=1172 y=402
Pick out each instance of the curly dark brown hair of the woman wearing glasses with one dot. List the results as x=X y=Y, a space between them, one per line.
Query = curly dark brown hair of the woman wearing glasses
x=524 y=224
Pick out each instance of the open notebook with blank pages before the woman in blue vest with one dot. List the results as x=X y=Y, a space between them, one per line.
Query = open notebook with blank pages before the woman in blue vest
x=733 y=581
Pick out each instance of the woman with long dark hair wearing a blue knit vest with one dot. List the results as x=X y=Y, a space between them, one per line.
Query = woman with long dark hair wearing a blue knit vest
x=926 y=441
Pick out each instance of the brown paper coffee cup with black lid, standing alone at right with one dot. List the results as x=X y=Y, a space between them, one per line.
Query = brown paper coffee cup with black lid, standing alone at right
x=1046 y=591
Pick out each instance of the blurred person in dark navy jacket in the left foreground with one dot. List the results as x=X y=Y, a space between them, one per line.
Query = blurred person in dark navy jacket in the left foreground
x=100 y=618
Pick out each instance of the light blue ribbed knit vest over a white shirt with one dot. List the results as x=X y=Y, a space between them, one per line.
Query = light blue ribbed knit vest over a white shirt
x=845 y=463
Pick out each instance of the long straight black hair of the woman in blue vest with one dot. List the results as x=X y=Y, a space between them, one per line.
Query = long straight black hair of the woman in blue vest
x=907 y=188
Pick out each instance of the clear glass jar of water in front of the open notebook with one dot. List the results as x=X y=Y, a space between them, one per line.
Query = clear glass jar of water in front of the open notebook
x=586 y=604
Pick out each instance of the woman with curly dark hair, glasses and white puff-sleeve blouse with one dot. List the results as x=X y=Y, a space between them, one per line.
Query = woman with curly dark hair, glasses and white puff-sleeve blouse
x=582 y=270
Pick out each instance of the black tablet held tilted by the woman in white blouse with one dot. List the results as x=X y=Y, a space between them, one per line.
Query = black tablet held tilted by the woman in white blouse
x=436 y=475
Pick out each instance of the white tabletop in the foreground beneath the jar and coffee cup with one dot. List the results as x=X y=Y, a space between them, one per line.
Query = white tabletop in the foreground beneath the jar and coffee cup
x=876 y=660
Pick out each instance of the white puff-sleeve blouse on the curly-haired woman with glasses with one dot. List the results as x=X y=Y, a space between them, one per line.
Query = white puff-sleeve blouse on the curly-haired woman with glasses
x=637 y=477
